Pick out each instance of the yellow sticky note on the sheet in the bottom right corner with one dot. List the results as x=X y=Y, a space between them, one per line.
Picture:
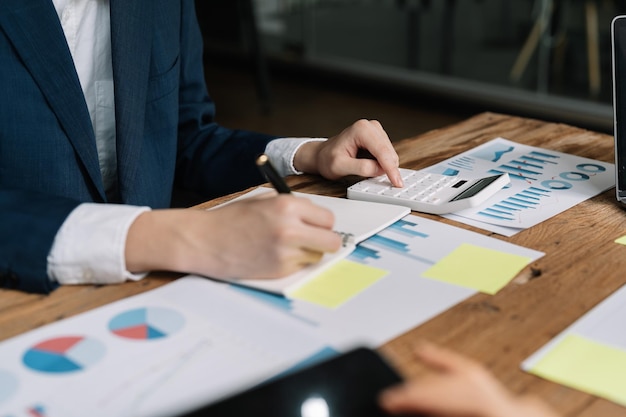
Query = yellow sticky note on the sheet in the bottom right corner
x=587 y=366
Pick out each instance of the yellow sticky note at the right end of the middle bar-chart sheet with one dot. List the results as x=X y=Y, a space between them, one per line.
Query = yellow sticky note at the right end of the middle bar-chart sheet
x=483 y=269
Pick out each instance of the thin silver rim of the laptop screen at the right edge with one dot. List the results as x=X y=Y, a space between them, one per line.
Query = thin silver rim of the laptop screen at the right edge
x=618 y=39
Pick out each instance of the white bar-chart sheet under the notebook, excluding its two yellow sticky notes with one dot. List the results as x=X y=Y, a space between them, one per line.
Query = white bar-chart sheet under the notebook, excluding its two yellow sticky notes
x=402 y=299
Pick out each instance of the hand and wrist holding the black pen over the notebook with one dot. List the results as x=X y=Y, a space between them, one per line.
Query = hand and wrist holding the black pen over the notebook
x=269 y=236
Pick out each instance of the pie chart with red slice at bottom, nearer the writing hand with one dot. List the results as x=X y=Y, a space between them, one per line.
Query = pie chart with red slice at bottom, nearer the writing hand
x=147 y=323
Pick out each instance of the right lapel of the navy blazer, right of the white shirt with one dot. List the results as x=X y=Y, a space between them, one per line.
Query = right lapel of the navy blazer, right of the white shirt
x=131 y=23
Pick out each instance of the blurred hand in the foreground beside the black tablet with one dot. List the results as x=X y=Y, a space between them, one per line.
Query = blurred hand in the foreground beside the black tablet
x=457 y=386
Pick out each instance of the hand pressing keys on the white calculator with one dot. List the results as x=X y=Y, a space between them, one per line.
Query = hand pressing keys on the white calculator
x=337 y=157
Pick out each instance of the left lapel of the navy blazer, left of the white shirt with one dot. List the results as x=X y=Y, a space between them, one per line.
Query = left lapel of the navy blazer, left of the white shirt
x=36 y=33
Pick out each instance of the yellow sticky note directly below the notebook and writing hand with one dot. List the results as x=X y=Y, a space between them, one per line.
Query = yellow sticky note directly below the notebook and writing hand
x=338 y=284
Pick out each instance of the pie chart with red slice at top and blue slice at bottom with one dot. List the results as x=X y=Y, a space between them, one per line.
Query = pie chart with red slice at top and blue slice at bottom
x=64 y=354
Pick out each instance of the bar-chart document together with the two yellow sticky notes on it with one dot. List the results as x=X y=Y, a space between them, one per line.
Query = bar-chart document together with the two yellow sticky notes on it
x=397 y=279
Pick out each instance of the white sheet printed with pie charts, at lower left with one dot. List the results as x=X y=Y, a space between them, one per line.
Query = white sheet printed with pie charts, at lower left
x=216 y=343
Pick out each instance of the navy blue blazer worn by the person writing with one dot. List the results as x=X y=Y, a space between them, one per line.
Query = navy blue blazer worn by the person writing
x=166 y=132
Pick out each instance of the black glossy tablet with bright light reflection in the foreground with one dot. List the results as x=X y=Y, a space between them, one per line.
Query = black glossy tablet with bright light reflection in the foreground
x=344 y=386
